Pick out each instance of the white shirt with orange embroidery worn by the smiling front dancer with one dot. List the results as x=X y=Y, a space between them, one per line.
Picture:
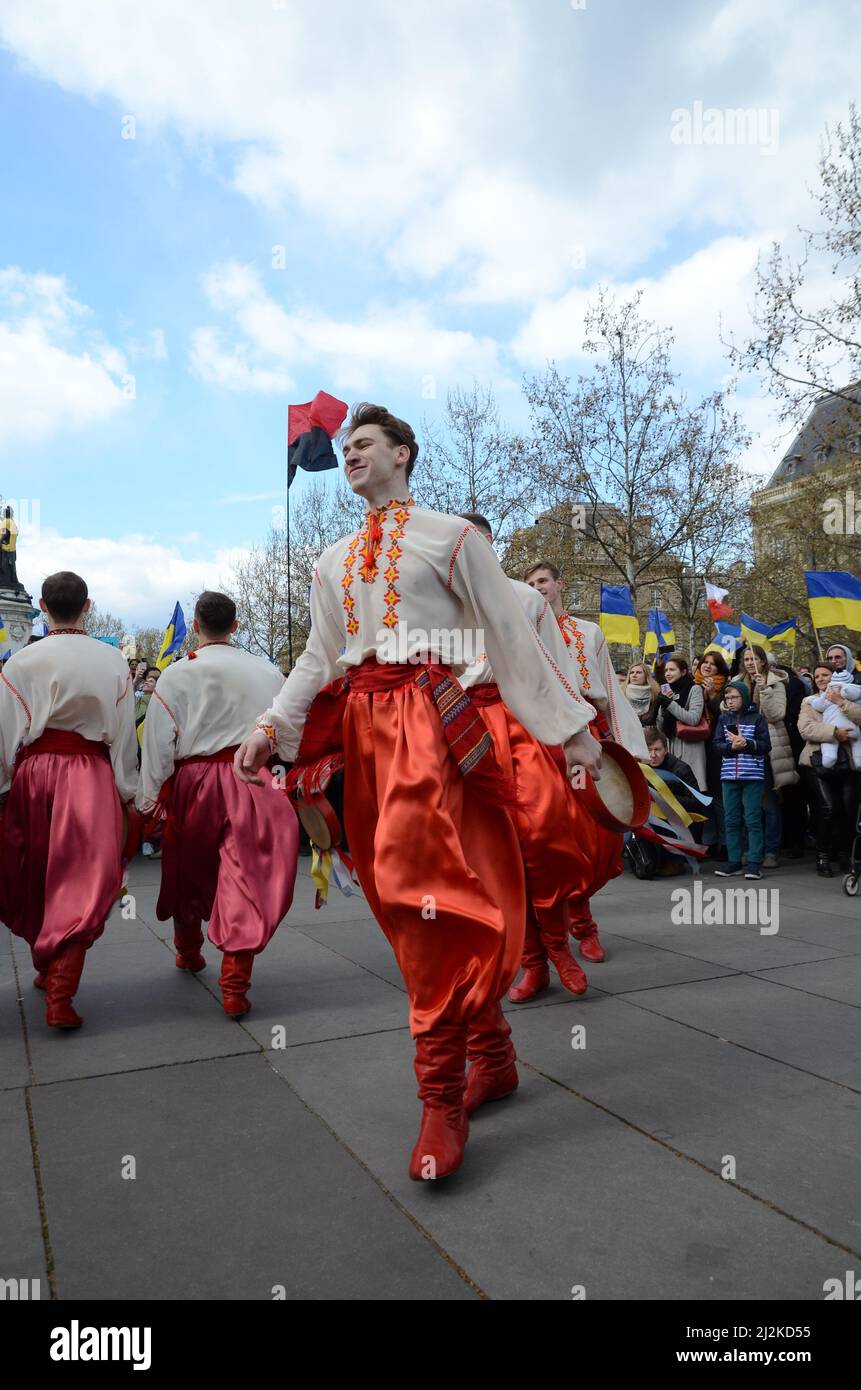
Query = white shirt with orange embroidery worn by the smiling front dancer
x=433 y=575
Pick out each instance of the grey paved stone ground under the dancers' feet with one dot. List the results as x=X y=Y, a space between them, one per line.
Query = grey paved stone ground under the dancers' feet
x=262 y=1167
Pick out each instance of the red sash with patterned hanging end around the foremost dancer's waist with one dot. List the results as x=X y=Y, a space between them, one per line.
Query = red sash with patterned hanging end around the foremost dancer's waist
x=465 y=732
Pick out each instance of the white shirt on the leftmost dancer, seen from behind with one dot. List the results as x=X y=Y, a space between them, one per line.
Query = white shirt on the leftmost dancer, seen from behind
x=74 y=683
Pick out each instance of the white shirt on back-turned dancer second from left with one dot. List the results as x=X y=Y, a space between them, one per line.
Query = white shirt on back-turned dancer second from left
x=202 y=704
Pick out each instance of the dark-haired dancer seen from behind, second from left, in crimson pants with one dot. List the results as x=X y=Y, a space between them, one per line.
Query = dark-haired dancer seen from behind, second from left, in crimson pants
x=230 y=851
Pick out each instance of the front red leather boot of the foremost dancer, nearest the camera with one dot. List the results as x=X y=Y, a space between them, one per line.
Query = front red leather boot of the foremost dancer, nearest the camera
x=440 y=1065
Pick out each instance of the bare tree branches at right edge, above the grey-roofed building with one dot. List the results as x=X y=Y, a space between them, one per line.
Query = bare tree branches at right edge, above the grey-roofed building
x=799 y=348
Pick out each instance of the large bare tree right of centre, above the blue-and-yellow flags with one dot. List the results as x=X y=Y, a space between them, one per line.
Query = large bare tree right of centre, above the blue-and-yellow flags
x=652 y=479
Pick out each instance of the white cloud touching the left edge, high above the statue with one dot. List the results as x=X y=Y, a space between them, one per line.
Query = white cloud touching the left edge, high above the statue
x=56 y=373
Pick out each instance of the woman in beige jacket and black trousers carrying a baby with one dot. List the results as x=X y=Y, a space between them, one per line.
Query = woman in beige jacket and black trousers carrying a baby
x=832 y=793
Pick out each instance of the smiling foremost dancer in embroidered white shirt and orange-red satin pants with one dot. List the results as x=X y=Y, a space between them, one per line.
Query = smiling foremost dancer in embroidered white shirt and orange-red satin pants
x=421 y=769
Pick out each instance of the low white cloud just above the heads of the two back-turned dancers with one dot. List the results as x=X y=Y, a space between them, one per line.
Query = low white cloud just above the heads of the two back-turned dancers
x=136 y=578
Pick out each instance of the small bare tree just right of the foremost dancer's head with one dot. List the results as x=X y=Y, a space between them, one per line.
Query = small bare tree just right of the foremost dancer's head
x=471 y=462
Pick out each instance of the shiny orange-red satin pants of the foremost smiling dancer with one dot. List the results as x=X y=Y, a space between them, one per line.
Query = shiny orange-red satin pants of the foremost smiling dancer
x=440 y=867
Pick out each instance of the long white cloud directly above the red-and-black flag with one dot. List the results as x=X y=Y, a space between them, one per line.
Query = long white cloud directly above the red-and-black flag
x=392 y=344
